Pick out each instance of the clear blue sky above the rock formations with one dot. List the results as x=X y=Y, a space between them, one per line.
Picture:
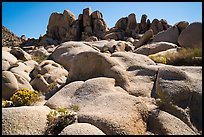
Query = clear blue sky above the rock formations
x=31 y=18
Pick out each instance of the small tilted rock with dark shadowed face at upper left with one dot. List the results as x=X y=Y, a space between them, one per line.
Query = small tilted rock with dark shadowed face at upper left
x=20 y=53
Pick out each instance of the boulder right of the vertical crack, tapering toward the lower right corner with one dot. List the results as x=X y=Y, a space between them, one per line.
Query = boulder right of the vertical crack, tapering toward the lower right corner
x=173 y=89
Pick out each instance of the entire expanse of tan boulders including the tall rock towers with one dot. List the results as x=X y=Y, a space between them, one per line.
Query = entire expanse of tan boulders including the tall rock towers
x=116 y=88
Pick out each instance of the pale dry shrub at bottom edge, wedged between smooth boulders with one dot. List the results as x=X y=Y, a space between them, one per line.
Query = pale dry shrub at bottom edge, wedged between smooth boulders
x=58 y=119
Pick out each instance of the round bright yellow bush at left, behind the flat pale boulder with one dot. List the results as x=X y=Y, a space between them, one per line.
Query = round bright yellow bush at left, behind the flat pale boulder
x=24 y=97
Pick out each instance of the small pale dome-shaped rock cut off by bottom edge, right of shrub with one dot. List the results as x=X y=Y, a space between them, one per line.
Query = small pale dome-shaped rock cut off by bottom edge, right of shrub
x=81 y=129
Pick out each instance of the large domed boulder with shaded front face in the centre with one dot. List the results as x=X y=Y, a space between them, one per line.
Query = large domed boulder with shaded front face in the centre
x=94 y=65
